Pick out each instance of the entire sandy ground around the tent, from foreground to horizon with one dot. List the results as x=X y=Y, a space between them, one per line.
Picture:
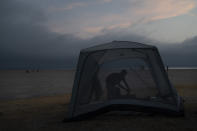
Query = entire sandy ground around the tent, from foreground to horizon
x=35 y=102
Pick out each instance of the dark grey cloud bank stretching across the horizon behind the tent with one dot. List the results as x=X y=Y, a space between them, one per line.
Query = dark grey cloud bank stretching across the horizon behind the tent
x=26 y=42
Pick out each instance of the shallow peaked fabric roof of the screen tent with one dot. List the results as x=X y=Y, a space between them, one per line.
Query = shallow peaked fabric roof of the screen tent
x=118 y=45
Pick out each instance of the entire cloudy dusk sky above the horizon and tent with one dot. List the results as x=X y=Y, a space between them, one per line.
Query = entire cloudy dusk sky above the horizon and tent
x=50 y=33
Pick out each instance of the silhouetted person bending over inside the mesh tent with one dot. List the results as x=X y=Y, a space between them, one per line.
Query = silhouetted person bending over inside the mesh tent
x=113 y=84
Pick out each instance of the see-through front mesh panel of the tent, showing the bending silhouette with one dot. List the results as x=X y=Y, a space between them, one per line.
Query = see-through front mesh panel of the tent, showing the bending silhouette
x=102 y=79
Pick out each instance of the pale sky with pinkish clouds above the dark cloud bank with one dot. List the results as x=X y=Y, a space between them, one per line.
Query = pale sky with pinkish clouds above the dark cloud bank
x=163 y=20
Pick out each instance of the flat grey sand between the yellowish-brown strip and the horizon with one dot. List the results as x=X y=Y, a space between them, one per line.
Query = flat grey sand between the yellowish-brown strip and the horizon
x=17 y=84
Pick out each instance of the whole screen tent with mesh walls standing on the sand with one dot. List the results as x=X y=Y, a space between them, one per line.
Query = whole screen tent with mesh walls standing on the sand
x=122 y=75
